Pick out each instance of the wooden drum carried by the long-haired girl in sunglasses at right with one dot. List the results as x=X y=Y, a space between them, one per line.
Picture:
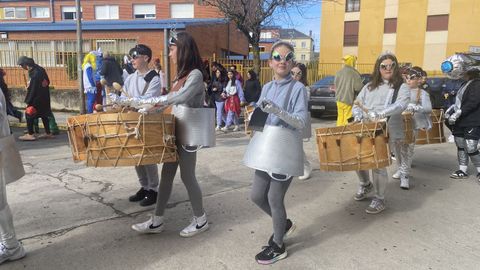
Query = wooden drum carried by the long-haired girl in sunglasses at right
x=359 y=146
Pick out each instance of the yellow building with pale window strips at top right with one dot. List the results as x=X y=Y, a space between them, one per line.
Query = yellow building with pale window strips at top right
x=421 y=32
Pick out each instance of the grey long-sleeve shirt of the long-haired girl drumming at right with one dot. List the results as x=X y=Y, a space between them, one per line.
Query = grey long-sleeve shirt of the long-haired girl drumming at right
x=379 y=99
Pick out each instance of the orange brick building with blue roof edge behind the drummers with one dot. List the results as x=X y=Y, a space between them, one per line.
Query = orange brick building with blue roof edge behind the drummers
x=46 y=30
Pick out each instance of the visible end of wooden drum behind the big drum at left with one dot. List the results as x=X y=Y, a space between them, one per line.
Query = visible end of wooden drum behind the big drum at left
x=76 y=137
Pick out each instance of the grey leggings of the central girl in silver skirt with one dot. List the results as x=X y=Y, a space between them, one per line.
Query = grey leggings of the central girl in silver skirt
x=269 y=195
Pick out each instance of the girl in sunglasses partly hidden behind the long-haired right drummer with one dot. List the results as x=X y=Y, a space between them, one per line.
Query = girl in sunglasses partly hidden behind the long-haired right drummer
x=421 y=107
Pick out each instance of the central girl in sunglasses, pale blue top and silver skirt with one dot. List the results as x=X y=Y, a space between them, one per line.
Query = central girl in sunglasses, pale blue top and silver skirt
x=285 y=102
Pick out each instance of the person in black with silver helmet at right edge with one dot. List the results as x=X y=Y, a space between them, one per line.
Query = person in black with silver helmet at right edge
x=463 y=117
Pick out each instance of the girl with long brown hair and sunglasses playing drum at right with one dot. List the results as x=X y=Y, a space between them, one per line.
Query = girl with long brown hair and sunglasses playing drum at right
x=386 y=96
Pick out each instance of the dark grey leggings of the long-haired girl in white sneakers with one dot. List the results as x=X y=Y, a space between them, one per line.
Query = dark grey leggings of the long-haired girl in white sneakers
x=187 y=162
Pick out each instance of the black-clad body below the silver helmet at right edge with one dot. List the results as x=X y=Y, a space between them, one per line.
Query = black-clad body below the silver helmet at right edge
x=465 y=123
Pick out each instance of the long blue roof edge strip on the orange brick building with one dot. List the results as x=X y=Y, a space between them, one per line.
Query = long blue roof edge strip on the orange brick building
x=100 y=25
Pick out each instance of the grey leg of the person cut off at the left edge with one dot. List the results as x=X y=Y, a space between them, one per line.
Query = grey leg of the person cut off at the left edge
x=7 y=233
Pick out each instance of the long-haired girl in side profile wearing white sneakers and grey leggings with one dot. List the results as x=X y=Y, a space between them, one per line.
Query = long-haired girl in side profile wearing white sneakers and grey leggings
x=187 y=90
